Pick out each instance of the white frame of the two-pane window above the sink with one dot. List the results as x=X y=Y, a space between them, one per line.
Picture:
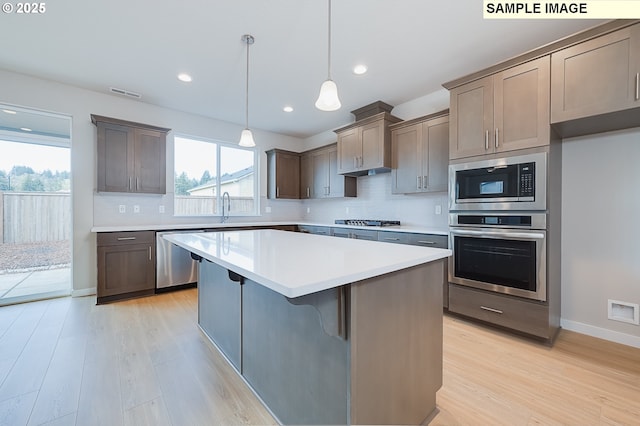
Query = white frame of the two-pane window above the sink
x=219 y=143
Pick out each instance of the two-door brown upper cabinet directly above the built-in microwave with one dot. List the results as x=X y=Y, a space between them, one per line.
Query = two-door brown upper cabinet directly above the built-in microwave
x=506 y=111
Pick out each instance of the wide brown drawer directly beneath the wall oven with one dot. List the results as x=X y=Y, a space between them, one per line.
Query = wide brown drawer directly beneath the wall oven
x=507 y=311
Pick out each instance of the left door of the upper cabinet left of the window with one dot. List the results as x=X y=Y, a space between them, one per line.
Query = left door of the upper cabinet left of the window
x=115 y=158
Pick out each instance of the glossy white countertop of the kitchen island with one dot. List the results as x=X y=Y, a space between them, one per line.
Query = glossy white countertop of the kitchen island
x=295 y=264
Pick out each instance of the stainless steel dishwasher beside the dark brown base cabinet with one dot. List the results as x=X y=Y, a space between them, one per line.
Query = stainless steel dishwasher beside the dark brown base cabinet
x=174 y=265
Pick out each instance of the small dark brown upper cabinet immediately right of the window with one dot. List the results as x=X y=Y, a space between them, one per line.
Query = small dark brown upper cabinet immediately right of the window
x=283 y=174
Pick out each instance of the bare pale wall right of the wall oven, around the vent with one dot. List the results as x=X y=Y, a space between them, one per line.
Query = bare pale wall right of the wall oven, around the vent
x=601 y=232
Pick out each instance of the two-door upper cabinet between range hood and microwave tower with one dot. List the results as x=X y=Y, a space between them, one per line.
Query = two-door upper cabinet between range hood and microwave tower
x=420 y=154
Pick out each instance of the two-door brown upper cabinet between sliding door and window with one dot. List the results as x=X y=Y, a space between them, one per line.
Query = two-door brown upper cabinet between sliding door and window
x=131 y=156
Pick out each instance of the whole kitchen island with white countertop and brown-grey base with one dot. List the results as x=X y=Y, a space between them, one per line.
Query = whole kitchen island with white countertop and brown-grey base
x=325 y=330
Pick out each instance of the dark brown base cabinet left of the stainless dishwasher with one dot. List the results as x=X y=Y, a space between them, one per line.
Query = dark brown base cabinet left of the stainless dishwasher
x=126 y=265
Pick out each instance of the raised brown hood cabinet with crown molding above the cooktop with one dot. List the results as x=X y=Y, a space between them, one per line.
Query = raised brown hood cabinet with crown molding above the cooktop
x=365 y=145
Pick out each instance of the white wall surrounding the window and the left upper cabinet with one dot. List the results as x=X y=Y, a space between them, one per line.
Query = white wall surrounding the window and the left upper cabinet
x=29 y=92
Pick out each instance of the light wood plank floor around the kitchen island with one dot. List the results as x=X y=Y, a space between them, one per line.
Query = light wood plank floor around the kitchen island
x=144 y=362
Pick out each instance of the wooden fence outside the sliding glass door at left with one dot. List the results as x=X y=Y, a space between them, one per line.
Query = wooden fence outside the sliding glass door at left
x=28 y=217
